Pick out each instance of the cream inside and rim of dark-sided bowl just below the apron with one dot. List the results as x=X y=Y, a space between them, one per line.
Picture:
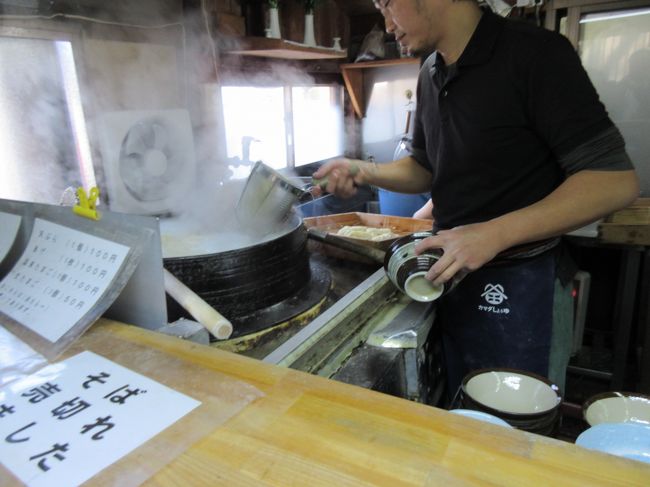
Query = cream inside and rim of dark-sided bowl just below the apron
x=513 y=392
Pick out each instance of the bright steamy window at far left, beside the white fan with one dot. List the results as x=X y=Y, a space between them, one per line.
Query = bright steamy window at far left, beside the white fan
x=43 y=138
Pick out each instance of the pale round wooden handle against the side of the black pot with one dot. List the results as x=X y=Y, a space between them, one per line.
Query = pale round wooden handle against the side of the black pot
x=201 y=311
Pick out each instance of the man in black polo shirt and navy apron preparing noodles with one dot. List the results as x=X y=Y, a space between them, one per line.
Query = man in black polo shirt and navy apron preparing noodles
x=512 y=141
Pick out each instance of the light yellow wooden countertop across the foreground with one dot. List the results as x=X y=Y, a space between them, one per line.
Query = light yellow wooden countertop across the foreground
x=309 y=431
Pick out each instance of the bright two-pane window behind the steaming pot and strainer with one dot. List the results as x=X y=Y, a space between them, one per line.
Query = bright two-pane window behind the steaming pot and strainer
x=284 y=126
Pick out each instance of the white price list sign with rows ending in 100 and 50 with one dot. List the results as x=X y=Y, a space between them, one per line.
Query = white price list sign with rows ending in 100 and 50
x=60 y=276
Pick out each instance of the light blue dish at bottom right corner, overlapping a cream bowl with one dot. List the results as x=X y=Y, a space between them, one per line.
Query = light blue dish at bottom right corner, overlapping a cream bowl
x=629 y=440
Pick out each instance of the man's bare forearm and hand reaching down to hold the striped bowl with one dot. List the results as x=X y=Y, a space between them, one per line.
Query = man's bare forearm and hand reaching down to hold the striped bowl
x=584 y=197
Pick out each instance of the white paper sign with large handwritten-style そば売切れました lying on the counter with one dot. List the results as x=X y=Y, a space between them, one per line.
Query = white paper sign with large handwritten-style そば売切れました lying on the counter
x=69 y=421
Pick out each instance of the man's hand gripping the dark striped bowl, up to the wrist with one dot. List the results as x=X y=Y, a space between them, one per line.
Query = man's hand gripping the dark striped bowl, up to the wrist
x=465 y=249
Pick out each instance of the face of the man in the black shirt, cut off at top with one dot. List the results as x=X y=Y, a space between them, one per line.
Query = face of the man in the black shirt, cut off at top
x=415 y=23
